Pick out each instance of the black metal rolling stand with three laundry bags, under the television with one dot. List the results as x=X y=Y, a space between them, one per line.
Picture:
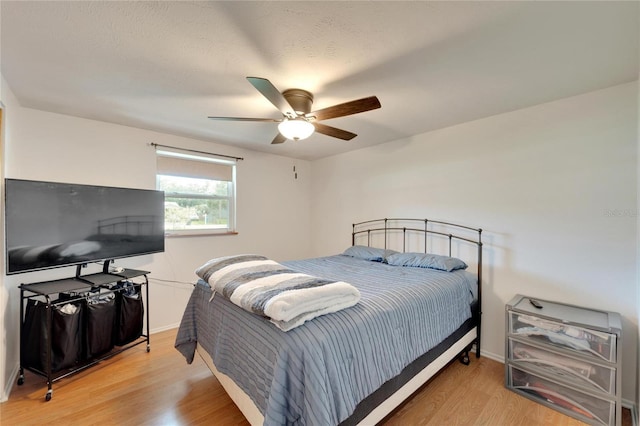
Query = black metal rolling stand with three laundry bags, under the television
x=94 y=317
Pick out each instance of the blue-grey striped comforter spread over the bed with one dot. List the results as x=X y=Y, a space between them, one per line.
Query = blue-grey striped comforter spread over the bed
x=316 y=374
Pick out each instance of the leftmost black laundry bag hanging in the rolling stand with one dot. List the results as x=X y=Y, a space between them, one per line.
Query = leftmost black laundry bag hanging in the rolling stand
x=66 y=336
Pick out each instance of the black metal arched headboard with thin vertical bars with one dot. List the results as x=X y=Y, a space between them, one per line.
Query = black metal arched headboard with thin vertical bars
x=426 y=228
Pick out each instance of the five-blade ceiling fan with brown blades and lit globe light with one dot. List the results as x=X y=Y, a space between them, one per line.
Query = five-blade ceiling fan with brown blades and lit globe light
x=298 y=121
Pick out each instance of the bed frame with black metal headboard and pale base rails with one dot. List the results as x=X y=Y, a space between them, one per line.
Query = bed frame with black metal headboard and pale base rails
x=388 y=232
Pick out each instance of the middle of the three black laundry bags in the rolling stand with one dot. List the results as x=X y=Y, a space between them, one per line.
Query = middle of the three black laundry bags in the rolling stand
x=100 y=318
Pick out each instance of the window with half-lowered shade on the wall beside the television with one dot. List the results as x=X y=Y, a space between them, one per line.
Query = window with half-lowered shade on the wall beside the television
x=199 y=193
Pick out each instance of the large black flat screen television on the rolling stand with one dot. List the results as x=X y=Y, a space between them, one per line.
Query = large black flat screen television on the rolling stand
x=52 y=224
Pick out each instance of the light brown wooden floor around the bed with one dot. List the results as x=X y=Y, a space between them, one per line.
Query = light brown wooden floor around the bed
x=160 y=388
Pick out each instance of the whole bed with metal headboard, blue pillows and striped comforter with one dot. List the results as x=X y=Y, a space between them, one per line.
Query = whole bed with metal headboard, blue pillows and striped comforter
x=417 y=311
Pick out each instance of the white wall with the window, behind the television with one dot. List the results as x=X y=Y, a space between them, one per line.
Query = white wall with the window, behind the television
x=273 y=208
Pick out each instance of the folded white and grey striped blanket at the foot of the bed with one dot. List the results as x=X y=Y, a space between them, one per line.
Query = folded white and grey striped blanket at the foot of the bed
x=267 y=288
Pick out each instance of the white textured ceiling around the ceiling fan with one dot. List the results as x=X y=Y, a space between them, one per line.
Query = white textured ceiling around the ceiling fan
x=166 y=66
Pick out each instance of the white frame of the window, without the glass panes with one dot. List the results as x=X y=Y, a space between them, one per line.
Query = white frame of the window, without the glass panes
x=232 y=198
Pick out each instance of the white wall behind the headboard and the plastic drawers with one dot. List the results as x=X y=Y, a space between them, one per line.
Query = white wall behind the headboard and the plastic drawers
x=553 y=186
